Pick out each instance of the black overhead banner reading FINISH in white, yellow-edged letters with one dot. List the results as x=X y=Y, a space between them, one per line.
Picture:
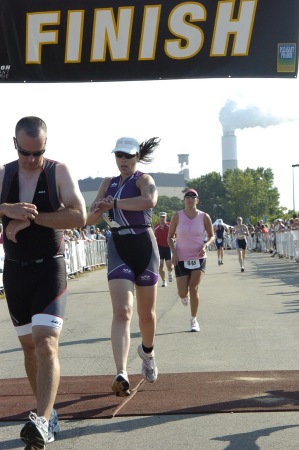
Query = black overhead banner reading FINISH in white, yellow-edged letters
x=116 y=40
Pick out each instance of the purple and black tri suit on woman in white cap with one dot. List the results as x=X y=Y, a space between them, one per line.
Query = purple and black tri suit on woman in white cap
x=132 y=249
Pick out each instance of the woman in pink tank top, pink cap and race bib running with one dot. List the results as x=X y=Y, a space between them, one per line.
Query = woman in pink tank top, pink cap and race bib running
x=190 y=234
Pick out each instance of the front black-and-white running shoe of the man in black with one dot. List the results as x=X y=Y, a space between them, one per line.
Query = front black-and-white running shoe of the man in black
x=35 y=432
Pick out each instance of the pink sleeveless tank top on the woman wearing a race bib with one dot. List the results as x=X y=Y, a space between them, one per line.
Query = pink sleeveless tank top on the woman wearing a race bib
x=190 y=235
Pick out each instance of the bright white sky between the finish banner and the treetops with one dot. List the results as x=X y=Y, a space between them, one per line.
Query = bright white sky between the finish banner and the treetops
x=85 y=119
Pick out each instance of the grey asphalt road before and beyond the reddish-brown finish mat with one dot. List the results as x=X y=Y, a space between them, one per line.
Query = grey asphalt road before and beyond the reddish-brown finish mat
x=248 y=322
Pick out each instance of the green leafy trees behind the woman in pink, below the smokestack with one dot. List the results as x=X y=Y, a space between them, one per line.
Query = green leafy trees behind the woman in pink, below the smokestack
x=248 y=193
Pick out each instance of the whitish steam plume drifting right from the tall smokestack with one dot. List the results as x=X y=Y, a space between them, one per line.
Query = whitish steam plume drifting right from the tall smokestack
x=233 y=116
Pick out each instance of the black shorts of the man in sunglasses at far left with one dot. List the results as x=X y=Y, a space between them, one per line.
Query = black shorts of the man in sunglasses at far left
x=35 y=289
